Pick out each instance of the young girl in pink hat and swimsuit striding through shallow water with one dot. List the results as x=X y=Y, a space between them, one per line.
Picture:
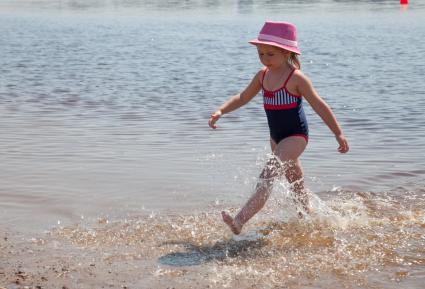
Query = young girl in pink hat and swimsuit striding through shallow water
x=283 y=85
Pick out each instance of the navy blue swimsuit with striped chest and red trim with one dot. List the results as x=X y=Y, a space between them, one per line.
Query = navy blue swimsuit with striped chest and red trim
x=285 y=113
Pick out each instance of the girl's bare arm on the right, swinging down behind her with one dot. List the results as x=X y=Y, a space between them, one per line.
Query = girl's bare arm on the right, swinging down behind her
x=307 y=90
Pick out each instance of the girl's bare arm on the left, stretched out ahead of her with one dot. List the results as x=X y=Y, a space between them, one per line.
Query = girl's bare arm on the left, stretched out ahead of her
x=237 y=100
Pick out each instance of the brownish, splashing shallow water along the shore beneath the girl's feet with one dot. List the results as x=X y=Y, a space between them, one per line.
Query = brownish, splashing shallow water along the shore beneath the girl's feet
x=353 y=239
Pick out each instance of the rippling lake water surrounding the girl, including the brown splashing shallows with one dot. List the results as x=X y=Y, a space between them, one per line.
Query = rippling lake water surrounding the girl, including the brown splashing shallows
x=104 y=109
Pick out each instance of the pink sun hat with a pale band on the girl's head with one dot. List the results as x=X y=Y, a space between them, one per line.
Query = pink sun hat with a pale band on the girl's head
x=278 y=34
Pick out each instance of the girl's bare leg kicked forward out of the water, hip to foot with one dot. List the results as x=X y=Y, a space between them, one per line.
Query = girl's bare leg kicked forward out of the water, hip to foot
x=288 y=151
